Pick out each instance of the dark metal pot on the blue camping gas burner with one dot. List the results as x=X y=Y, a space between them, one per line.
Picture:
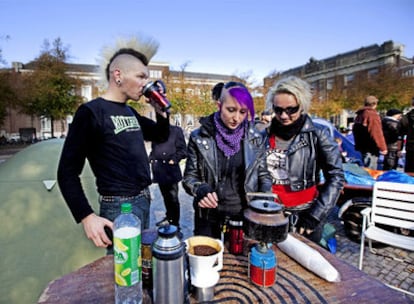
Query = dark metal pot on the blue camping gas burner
x=265 y=221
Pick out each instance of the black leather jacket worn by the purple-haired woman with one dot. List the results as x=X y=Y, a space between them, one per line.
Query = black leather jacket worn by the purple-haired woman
x=202 y=162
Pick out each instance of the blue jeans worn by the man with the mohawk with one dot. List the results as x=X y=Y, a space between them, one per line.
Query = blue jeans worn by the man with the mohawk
x=110 y=208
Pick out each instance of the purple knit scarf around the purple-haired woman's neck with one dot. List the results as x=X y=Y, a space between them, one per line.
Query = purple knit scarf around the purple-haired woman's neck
x=228 y=140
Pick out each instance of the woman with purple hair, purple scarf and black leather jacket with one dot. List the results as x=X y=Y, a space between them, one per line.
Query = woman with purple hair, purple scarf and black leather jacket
x=226 y=159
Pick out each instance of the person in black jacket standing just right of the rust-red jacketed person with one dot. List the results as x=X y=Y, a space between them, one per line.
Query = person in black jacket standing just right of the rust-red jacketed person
x=391 y=135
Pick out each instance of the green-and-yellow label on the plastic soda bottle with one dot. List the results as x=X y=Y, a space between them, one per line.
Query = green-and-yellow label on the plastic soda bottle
x=127 y=256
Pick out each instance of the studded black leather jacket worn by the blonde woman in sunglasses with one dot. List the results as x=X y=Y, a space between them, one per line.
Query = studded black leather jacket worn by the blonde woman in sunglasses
x=312 y=150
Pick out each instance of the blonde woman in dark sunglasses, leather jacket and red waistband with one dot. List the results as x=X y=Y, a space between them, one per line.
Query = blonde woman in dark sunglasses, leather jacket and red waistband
x=298 y=151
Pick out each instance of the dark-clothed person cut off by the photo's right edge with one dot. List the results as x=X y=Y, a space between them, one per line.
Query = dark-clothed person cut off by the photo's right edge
x=406 y=126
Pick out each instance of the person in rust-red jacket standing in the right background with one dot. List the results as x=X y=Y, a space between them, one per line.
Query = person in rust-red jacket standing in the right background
x=368 y=135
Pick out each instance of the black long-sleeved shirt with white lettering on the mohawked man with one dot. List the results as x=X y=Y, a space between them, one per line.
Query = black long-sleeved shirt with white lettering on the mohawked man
x=110 y=135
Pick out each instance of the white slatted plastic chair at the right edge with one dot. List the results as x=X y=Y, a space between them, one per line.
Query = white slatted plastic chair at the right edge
x=392 y=205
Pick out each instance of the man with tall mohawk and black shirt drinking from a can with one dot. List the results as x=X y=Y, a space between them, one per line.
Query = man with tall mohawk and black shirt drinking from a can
x=110 y=135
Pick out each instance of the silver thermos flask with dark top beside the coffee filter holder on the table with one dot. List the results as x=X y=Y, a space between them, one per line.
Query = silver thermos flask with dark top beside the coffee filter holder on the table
x=168 y=267
